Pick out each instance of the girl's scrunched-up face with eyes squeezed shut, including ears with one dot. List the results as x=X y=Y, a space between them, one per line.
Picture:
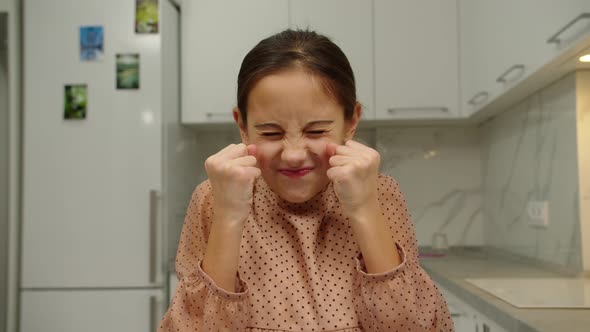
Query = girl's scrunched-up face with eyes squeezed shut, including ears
x=291 y=119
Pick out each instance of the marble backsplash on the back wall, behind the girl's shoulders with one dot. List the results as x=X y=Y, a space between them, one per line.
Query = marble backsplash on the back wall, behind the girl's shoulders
x=438 y=170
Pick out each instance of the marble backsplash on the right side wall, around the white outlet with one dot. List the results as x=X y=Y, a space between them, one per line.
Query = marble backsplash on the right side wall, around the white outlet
x=529 y=154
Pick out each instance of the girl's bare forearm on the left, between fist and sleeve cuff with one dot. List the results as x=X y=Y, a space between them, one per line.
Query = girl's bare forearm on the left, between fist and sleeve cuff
x=221 y=258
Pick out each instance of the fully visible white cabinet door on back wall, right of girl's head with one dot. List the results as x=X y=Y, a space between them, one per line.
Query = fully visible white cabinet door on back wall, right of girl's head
x=416 y=59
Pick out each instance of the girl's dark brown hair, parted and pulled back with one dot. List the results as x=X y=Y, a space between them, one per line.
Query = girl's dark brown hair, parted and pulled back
x=299 y=49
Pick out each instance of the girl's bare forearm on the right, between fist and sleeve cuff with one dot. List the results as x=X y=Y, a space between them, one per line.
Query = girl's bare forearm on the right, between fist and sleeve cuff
x=375 y=239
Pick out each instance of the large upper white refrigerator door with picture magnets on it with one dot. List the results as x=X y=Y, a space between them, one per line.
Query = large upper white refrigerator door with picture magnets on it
x=87 y=220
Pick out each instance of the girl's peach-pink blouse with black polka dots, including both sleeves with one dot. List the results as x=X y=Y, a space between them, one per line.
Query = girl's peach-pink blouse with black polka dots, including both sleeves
x=301 y=270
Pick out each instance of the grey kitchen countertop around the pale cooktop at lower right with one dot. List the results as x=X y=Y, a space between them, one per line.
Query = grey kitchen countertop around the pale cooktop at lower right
x=451 y=270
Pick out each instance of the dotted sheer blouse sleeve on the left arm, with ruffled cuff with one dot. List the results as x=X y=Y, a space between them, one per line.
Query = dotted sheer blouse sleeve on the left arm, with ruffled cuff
x=199 y=304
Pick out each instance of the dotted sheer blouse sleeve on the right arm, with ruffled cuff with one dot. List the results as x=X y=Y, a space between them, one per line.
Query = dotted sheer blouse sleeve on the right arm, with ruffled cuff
x=404 y=298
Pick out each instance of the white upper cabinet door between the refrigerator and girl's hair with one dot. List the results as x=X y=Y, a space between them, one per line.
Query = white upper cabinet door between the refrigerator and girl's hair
x=216 y=35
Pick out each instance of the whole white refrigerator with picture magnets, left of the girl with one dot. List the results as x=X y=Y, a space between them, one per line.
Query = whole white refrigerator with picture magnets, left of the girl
x=93 y=236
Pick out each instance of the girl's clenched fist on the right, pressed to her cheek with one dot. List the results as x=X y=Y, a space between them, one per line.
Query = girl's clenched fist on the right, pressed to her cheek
x=353 y=170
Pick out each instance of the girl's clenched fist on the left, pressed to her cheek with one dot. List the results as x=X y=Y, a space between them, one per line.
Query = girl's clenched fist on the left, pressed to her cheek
x=232 y=172
